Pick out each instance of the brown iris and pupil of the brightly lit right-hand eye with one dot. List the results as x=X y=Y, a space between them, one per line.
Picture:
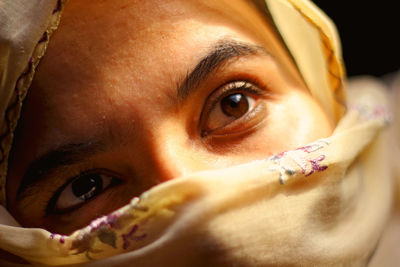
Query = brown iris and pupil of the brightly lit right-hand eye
x=235 y=105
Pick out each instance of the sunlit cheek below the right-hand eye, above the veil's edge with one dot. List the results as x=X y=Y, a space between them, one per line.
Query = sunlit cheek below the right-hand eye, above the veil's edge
x=293 y=121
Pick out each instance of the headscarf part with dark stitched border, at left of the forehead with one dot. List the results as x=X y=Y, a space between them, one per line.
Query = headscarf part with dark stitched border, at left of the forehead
x=25 y=29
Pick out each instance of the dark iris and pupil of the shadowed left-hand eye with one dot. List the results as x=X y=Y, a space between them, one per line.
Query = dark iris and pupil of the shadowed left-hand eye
x=87 y=187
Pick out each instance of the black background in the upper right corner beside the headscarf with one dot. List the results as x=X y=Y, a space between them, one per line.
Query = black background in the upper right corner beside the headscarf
x=370 y=33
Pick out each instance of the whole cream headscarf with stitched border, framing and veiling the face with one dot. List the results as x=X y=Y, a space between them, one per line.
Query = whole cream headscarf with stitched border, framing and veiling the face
x=322 y=204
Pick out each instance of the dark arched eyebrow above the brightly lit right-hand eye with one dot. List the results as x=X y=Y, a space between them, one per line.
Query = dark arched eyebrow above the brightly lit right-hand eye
x=223 y=51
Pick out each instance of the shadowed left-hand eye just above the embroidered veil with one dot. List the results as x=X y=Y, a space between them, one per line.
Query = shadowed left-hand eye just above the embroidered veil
x=79 y=190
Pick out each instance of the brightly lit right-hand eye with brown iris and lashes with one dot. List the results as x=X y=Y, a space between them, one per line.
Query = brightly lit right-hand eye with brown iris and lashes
x=232 y=109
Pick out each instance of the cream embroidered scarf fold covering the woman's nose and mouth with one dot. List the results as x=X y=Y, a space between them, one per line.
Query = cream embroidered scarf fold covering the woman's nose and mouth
x=204 y=203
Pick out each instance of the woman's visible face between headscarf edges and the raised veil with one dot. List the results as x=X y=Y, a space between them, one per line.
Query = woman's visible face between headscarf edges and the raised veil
x=134 y=93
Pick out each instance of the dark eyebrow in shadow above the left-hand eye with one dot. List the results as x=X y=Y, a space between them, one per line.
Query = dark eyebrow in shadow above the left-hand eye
x=62 y=156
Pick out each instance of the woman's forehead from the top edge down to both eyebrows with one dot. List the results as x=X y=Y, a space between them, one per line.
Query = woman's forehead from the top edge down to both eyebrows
x=120 y=57
